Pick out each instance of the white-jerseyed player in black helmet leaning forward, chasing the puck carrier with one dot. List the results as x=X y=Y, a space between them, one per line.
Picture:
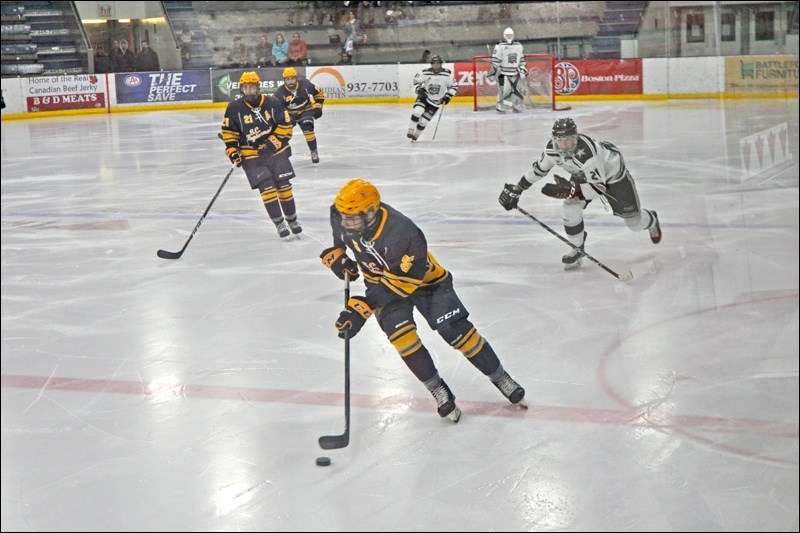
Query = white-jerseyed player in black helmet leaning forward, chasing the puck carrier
x=597 y=170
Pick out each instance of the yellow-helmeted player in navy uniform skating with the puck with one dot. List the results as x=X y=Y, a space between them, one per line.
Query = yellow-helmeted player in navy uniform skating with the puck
x=401 y=275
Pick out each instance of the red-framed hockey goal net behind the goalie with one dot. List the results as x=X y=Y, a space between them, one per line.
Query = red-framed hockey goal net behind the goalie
x=537 y=89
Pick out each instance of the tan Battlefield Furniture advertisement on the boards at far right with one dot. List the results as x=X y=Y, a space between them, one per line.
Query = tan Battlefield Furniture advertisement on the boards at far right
x=761 y=73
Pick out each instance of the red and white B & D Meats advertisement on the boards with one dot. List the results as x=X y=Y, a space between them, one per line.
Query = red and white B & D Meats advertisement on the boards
x=59 y=93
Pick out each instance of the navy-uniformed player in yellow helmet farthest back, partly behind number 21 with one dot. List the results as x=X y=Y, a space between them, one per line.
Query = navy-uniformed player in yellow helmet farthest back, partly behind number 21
x=303 y=100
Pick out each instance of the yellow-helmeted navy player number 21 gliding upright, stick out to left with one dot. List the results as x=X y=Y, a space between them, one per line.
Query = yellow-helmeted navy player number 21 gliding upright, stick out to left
x=256 y=131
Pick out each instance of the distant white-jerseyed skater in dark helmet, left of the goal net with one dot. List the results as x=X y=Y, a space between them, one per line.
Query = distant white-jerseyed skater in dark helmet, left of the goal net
x=435 y=86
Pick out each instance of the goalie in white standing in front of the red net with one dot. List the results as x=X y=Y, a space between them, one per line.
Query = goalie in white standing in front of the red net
x=508 y=67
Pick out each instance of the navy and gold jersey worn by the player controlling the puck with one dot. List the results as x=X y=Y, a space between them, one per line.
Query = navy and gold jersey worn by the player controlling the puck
x=395 y=260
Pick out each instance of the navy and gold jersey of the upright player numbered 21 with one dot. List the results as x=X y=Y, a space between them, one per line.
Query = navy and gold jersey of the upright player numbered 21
x=255 y=130
